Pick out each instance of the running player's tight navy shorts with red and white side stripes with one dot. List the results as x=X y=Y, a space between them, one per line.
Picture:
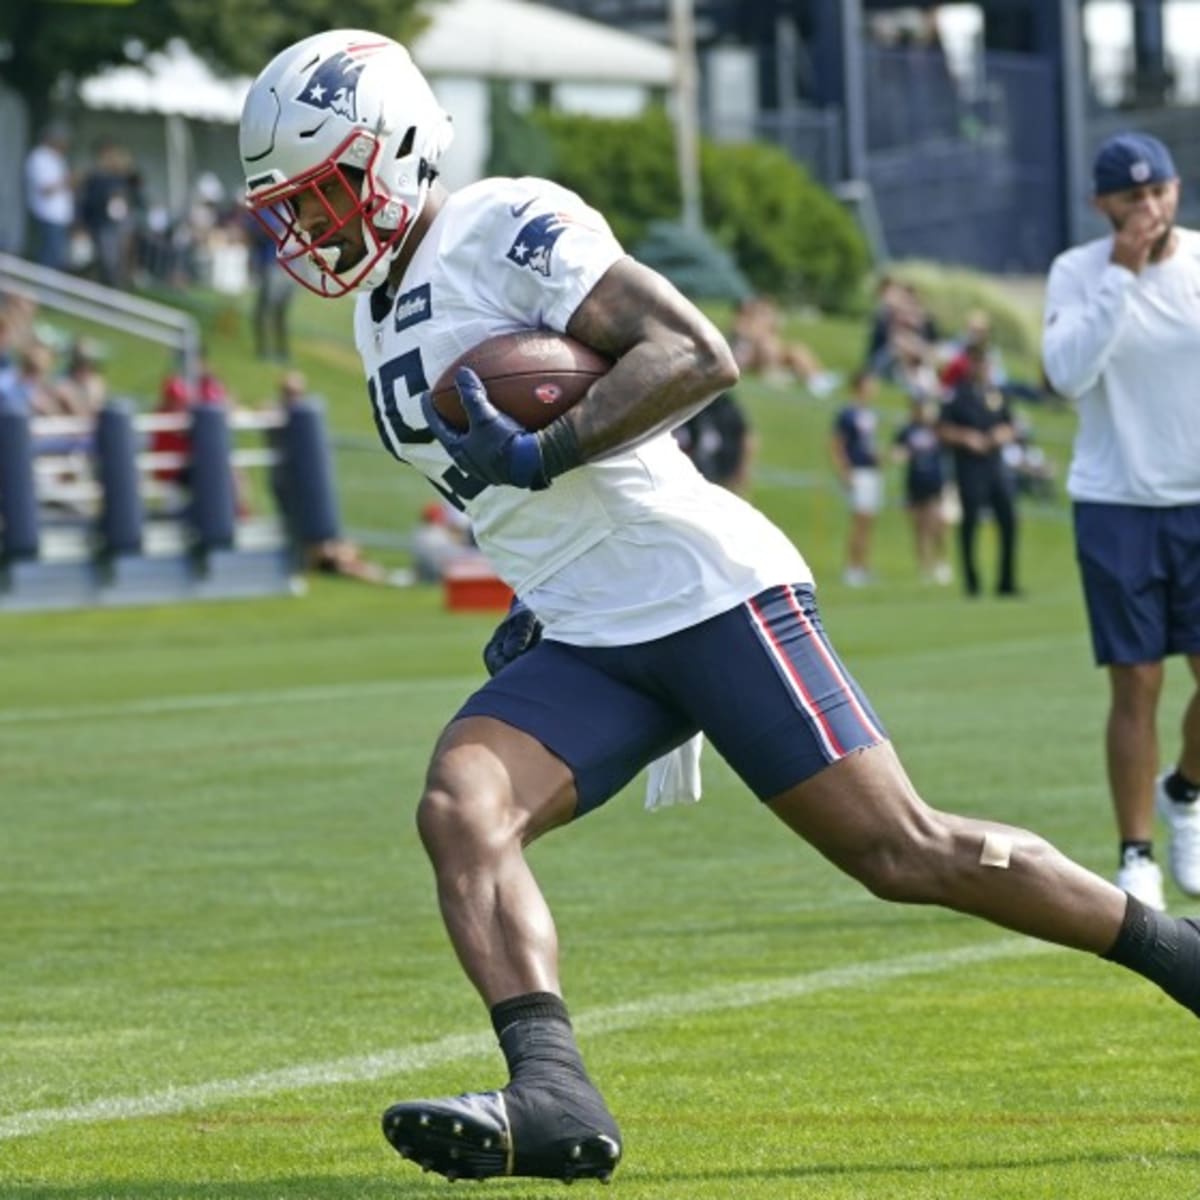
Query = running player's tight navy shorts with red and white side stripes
x=761 y=682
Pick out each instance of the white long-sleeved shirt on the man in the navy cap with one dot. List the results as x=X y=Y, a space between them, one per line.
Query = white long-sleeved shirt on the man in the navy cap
x=1126 y=347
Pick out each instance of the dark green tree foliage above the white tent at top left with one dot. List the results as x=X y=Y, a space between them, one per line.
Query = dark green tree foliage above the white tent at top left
x=53 y=44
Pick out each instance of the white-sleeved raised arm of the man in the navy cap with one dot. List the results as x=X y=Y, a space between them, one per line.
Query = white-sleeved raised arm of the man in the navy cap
x=1082 y=325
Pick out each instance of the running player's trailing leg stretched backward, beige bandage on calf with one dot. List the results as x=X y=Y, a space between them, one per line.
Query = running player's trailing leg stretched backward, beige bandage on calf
x=808 y=742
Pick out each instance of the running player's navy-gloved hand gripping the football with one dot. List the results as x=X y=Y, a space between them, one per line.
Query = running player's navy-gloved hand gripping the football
x=494 y=448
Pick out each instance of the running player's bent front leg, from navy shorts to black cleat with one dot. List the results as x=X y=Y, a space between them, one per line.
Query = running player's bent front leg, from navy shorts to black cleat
x=519 y=761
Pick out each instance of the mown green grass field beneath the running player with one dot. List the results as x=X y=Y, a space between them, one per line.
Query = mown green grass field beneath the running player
x=223 y=957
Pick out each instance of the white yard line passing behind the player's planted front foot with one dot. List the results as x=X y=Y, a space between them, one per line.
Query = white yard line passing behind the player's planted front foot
x=659 y=1011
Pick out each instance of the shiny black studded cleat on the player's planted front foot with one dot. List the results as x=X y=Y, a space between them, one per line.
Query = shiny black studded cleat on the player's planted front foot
x=470 y=1137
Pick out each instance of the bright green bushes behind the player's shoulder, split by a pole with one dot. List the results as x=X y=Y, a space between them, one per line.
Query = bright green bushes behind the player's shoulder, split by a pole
x=789 y=236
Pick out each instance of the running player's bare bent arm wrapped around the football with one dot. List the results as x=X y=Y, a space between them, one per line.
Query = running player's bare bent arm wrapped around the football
x=670 y=359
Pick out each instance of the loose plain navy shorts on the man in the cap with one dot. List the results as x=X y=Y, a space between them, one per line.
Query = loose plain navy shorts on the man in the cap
x=1142 y=580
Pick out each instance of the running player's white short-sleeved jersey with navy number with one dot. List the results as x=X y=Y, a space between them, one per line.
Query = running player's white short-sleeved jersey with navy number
x=620 y=551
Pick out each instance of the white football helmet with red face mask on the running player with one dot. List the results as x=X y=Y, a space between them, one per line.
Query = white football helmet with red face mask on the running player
x=338 y=100
